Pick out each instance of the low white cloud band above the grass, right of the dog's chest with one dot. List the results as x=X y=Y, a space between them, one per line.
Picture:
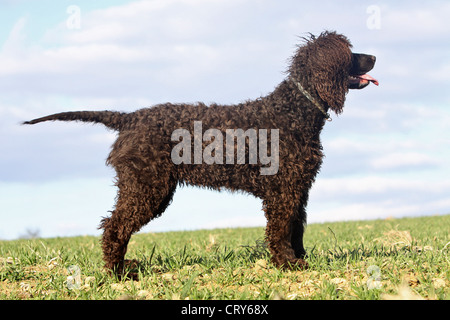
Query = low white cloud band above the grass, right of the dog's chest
x=374 y=197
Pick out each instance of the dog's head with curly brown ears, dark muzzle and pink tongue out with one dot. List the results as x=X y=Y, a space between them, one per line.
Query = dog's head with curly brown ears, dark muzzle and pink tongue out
x=326 y=67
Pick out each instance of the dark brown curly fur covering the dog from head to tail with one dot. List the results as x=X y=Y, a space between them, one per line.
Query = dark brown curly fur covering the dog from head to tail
x=147 y=178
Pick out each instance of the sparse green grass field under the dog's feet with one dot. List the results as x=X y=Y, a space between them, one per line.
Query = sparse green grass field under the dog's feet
x=380 y=259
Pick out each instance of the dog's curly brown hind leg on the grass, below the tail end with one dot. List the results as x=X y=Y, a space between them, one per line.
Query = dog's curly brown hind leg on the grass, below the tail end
x=139 y=200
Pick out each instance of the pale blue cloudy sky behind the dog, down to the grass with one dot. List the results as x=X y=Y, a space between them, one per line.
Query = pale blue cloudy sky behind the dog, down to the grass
x=387 y=154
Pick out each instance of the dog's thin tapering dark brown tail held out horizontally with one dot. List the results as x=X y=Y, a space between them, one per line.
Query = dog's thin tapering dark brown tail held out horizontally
x=111 y=119
